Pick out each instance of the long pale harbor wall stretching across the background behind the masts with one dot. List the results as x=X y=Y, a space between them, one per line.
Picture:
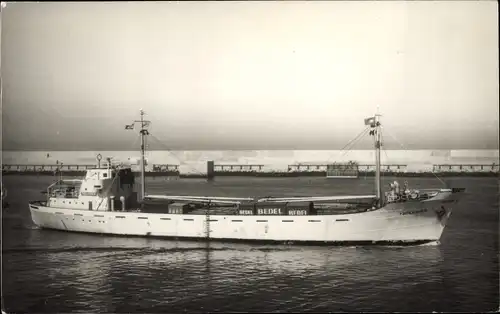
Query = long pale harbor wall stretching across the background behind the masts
x=267 y=161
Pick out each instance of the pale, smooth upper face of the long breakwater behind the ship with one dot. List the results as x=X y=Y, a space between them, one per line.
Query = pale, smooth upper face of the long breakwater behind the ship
x=276 y=160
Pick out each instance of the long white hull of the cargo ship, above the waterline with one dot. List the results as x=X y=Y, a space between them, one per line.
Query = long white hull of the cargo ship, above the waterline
x=388 y=224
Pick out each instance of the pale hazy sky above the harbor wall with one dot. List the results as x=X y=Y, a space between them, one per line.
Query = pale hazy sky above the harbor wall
x=249 y=75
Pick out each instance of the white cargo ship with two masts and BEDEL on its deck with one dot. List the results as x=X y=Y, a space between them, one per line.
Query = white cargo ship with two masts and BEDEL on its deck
x=104 y=201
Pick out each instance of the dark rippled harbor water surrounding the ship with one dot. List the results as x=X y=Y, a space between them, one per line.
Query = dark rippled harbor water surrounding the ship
x=50 y=271
